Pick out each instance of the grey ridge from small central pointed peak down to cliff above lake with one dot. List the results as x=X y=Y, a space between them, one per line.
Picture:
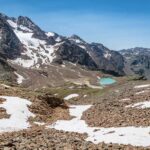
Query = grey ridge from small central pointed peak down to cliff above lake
x=106 y=60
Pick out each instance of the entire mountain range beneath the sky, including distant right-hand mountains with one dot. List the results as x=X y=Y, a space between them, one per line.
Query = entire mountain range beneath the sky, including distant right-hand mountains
x=24 y=46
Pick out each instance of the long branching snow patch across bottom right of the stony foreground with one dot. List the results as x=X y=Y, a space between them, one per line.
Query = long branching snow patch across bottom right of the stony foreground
x=136 y=136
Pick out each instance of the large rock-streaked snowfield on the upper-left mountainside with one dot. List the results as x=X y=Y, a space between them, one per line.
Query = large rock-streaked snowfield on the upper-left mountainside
x=37 y=51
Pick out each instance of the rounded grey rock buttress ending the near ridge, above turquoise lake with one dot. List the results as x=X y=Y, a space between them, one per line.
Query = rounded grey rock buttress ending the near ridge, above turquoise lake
x=107 y=60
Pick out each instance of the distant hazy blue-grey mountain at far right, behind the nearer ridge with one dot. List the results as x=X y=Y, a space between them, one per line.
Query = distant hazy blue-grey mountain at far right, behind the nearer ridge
x=137 y=61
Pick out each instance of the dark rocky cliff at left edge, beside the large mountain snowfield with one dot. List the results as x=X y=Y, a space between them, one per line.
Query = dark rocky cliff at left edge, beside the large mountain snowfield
x=10 y=48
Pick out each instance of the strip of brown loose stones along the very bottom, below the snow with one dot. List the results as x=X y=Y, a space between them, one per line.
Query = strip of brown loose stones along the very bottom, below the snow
x=54 y=140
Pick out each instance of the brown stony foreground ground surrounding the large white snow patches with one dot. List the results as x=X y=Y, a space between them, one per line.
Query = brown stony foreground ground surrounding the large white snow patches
x=121 y=105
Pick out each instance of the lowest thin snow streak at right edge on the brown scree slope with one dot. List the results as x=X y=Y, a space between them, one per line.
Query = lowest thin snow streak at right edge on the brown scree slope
x=139 y=105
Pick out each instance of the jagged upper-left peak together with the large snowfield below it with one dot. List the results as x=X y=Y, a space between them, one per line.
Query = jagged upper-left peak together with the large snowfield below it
x=36 y=51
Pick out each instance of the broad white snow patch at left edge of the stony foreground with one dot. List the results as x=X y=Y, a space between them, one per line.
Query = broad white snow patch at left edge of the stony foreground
x=17 y=108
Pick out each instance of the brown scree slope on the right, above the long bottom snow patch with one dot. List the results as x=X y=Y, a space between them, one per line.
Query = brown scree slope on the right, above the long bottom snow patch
x=114 y=106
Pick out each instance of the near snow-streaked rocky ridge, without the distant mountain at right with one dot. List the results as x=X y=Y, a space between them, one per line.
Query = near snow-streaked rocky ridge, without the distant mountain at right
x=23 y=43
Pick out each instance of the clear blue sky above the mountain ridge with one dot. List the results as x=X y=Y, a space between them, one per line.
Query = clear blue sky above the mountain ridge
x=117 y=24
